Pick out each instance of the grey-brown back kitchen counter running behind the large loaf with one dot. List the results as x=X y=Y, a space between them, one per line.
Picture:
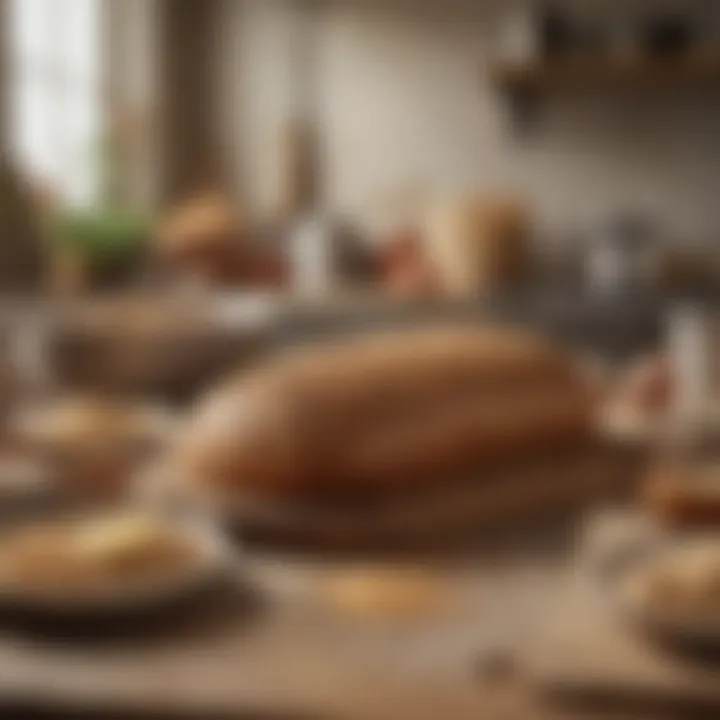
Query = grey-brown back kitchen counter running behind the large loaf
x=614 y=328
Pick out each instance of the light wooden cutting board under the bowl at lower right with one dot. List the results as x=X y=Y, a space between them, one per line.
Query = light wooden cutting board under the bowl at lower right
x=586 y=655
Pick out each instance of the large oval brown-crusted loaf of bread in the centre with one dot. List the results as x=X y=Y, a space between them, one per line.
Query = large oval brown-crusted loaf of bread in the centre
x=378 y=414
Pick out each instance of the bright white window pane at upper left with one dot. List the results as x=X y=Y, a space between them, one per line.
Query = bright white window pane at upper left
x=55 y=93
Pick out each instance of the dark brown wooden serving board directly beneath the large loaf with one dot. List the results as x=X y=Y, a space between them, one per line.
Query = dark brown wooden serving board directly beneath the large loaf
x=526 y=492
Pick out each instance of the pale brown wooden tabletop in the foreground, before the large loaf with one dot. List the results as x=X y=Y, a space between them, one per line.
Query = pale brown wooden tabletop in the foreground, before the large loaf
x=290 y=653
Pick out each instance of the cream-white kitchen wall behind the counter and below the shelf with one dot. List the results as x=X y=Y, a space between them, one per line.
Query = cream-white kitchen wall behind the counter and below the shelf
x=405 y=98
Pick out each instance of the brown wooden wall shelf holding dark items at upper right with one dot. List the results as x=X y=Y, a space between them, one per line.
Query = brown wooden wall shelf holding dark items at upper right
x=602 y=73
